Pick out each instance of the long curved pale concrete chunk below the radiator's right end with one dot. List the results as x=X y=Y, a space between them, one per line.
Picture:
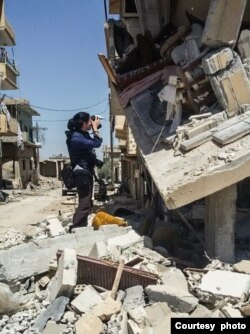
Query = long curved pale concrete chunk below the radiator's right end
x=178 y=299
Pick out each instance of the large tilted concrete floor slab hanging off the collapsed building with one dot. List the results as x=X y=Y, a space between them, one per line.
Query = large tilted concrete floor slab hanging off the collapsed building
x=197 y=173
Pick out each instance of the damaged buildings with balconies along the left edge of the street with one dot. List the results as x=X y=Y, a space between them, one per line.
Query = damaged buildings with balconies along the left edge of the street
x=19 y=151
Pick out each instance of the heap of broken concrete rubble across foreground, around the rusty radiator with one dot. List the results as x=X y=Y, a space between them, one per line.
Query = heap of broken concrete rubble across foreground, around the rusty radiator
x=58 y=303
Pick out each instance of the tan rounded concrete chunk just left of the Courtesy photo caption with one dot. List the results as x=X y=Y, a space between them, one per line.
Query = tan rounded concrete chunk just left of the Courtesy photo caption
x=156 y=312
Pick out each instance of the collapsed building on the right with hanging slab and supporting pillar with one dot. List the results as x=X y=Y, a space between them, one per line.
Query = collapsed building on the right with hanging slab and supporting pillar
x=180 y=102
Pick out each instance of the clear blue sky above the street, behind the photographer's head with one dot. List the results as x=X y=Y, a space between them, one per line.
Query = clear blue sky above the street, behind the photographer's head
x=57 y=42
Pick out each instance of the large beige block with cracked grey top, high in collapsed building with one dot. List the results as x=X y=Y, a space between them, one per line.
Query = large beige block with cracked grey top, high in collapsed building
x=228 y=79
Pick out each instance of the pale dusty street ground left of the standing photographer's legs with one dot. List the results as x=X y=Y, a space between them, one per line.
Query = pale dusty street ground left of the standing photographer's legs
x=31 y=209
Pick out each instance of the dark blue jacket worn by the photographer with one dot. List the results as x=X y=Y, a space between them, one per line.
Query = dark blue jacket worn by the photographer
x=81 y=149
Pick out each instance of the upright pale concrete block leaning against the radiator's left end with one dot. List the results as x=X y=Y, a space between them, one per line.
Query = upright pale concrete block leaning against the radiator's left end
x=64 y=281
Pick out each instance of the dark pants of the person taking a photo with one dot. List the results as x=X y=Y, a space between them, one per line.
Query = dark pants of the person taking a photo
x=84 y=185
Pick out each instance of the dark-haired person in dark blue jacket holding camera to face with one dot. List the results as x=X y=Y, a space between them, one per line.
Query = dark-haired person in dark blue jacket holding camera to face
x=81 y=147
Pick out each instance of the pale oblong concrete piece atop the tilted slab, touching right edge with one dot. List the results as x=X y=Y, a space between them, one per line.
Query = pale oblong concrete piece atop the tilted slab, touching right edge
x=232 y=133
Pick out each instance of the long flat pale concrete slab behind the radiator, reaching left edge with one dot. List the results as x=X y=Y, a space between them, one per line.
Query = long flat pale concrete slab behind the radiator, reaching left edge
x=16 y=262
